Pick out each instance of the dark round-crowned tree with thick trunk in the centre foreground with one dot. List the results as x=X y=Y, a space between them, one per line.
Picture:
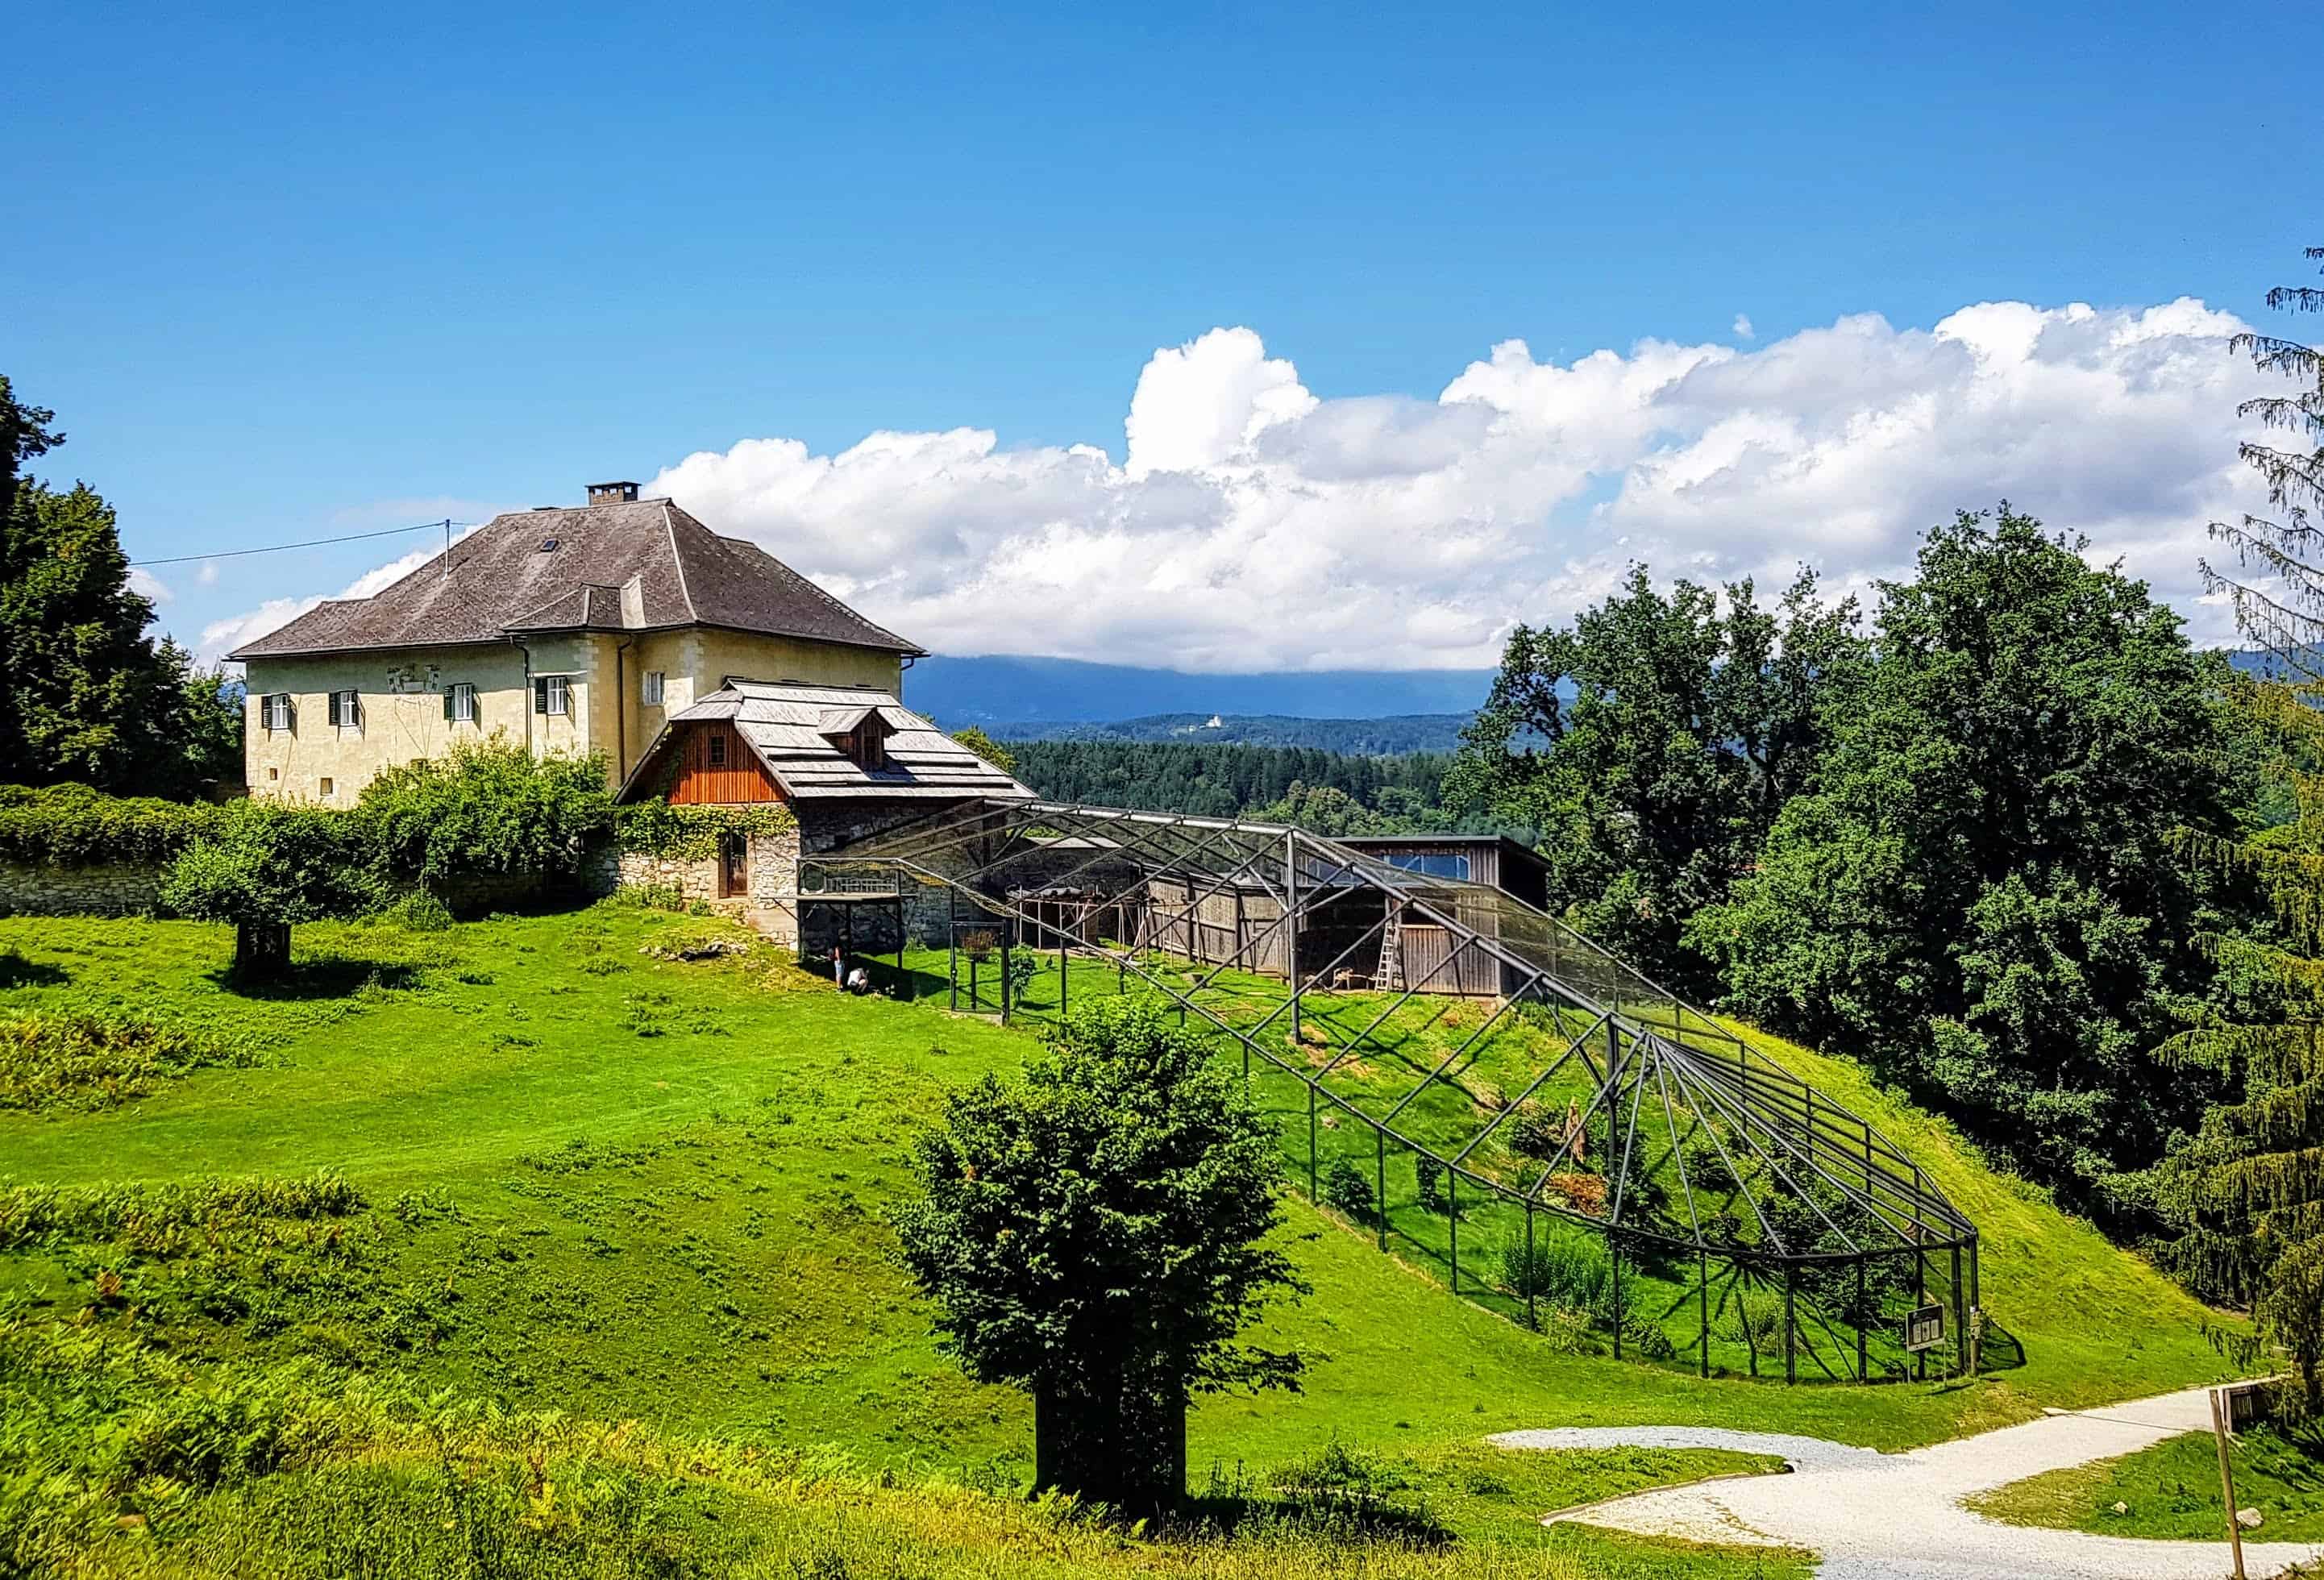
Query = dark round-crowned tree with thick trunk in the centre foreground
x=1093 y=1237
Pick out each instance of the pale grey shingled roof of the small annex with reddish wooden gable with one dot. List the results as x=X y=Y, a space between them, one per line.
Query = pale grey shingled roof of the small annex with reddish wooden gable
x=791 y=726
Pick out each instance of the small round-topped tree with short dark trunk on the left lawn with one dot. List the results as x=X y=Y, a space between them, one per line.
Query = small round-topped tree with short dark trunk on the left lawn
x=271 y=868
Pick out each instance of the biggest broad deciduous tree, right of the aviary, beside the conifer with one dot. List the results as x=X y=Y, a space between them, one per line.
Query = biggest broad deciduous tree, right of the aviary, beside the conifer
x=1979 y=891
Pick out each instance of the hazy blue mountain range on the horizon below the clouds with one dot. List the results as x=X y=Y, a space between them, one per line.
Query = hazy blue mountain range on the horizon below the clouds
x=1042 y=696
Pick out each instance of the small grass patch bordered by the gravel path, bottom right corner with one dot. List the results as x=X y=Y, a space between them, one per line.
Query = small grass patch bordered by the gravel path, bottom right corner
x=2172 y=1491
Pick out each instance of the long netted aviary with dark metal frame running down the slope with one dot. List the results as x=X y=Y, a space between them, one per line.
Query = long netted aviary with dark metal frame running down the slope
x=1575 y=1144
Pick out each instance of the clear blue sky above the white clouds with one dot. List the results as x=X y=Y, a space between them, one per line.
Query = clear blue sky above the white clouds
x=299 y=271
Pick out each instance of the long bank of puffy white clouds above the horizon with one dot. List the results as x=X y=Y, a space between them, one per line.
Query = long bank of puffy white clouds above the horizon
x=1254 y=526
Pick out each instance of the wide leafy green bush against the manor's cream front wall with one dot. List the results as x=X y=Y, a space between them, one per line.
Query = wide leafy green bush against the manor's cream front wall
x=489 y=807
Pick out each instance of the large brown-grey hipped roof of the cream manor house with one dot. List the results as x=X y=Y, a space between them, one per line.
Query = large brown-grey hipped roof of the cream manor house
x=619 y=566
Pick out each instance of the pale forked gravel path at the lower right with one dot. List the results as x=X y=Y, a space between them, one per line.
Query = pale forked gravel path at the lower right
x=1900 y=1516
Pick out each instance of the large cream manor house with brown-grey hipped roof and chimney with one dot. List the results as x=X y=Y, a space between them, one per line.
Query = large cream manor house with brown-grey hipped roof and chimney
x=564 y=629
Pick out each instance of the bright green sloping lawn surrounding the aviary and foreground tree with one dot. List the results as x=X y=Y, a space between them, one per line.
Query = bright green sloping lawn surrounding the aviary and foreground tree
x=647 y=1191
